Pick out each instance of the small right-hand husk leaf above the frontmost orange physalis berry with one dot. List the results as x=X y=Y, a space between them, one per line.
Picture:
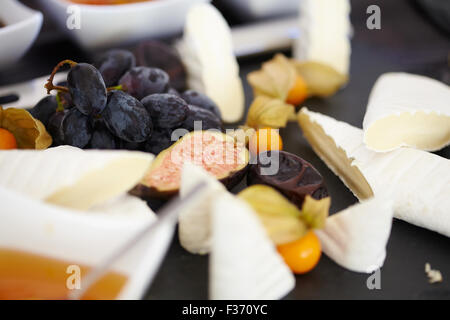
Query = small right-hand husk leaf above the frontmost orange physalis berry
x=315 y=212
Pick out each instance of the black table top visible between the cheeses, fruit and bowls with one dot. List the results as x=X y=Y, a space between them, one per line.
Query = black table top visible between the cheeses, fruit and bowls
x=407 y=41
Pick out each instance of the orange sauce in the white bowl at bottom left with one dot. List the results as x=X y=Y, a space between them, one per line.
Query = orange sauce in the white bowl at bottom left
x=27 y=276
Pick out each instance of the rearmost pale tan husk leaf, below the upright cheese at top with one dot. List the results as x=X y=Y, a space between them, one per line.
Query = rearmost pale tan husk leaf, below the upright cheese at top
x=322 y=80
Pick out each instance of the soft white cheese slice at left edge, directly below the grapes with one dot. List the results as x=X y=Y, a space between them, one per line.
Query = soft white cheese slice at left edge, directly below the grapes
x=72 y=177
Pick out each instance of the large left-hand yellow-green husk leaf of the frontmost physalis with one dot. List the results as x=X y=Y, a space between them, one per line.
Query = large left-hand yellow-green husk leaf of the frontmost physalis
x=279 y=217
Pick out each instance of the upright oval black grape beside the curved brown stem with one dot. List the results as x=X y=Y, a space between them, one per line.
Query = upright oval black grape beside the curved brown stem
x=87 y=88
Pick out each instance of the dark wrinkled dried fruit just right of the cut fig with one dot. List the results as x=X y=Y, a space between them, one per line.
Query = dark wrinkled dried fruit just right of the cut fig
x=291 y=175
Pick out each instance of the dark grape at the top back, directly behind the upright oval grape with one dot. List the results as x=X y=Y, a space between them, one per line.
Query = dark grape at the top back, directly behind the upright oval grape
x=113 y=64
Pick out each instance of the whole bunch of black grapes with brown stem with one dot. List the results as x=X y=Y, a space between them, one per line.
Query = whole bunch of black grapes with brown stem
x=114 y=104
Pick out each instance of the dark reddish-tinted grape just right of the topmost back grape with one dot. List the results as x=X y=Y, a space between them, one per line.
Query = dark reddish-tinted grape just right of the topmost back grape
x=142 y=81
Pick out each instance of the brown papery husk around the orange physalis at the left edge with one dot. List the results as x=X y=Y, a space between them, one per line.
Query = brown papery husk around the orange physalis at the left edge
x=30 y=133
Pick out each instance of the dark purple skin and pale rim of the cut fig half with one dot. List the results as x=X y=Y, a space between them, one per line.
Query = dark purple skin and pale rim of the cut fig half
x=230 y=181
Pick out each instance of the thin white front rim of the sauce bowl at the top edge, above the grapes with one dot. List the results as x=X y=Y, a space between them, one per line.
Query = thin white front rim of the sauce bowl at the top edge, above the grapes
x=120 y=7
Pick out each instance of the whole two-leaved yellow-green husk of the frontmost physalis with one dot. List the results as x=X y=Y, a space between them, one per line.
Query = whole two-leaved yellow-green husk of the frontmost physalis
x=283 y=221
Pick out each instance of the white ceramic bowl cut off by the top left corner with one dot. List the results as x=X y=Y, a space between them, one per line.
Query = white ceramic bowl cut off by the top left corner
x=22 y=27
